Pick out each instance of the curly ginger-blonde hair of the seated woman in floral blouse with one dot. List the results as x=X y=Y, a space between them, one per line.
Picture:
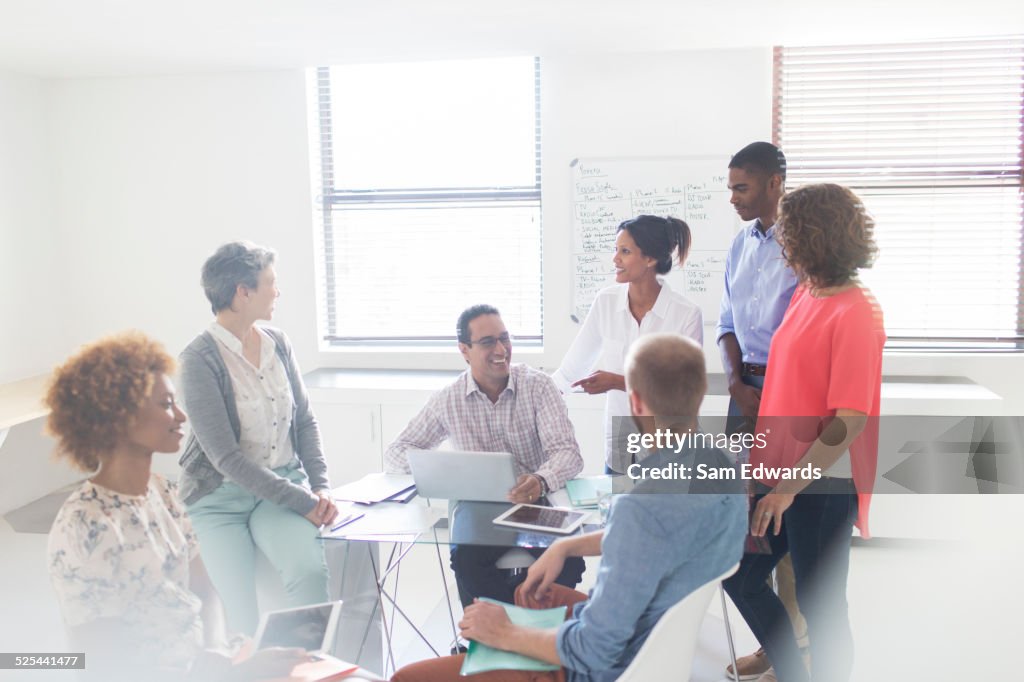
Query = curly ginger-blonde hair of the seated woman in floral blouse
x=96 y=396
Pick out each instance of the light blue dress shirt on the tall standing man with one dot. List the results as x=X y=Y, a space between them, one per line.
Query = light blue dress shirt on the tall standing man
x=758 y=288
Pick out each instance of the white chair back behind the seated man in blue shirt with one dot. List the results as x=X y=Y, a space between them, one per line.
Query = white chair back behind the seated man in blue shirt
x=668 y=654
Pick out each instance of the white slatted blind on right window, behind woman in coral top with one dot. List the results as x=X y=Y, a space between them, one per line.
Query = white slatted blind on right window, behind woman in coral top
x=930 y=137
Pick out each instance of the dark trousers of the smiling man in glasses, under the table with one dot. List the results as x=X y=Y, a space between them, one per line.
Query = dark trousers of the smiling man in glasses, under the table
x=477 y=575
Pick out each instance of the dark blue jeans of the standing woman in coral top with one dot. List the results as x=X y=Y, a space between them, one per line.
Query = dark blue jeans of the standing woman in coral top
x=817 y=531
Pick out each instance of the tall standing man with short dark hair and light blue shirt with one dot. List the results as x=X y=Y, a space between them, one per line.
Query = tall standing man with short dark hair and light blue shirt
x=758 y=288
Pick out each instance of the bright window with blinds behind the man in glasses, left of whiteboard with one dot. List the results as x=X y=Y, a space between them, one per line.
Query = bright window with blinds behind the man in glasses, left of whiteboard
x=430 y=199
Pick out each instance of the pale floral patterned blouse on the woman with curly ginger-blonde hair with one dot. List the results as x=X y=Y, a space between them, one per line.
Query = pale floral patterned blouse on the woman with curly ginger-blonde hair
x=126 y=558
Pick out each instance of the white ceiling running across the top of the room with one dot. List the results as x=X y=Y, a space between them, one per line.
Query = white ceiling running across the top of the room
x=104 y=38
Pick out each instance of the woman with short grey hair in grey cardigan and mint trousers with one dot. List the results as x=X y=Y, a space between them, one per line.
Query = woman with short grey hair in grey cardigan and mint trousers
x=253 y=471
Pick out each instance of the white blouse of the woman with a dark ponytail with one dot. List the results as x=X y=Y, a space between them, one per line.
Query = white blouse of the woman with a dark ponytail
x=606 y=337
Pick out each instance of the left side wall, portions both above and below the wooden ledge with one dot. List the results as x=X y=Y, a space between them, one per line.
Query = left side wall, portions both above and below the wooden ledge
x=35 y=294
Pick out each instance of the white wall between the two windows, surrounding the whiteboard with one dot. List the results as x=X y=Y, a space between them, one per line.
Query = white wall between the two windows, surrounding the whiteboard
x=682 y=104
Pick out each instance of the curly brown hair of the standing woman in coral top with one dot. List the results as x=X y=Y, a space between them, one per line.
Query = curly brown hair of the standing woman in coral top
x=827 y=235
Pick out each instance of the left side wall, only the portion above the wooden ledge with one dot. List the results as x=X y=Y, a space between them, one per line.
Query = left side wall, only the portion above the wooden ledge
x=33 y=287
